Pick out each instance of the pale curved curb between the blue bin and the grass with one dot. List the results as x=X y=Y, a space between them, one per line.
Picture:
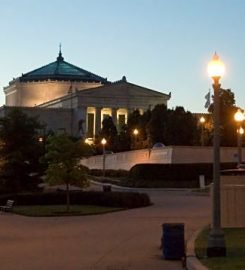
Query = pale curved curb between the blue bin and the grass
x=192 y=263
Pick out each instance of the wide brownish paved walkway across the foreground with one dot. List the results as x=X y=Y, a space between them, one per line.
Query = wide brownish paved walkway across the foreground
x=127 y=240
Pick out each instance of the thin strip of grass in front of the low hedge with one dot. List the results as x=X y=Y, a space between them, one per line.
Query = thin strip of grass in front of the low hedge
x=60 y=210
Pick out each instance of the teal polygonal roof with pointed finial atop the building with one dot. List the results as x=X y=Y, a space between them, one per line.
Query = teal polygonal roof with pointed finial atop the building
x=61 y=70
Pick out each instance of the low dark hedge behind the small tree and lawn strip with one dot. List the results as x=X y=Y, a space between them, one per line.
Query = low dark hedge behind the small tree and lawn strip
x=111 y=199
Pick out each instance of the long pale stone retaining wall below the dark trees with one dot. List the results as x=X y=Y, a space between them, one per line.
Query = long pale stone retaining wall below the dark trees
x=165 y=155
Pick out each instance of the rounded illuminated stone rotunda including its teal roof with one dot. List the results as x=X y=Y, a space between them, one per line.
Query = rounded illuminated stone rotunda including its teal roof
x=49 y=82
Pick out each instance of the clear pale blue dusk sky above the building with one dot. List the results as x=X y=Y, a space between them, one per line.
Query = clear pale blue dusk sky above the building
x=164 y=45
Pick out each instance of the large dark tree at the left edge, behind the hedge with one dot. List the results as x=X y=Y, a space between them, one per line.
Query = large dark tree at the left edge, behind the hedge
x=20 y=151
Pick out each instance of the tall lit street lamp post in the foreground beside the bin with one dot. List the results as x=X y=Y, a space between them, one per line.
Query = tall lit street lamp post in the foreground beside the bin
x=216 y=240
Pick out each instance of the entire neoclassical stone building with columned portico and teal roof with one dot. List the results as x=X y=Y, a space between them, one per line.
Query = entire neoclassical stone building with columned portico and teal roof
x=84 y=98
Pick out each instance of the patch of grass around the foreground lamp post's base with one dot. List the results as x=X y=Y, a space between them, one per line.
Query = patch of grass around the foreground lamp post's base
x=235 y=245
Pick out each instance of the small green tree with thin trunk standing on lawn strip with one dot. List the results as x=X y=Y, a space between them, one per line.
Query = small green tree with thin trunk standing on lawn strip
x=63 y=155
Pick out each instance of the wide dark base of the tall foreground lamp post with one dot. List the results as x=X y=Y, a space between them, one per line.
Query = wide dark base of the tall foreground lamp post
x=216 y=245
